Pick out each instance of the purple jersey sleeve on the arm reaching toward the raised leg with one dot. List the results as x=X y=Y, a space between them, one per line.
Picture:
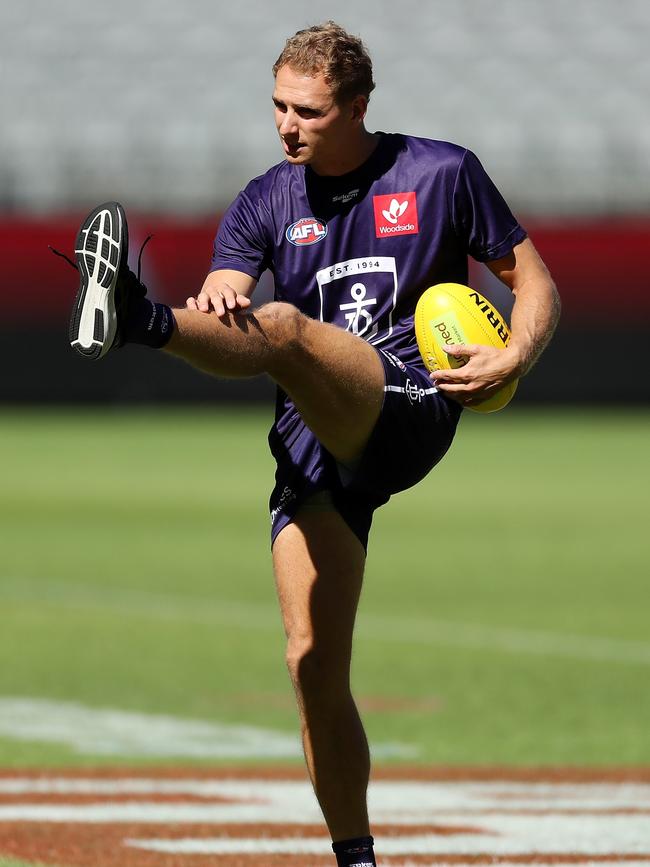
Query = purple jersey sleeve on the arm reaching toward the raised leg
x=241 y=243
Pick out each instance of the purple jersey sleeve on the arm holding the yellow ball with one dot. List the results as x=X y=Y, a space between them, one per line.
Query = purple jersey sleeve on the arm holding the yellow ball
x=480 y=215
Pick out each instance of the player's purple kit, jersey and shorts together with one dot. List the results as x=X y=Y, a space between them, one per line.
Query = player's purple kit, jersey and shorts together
x=358 y=251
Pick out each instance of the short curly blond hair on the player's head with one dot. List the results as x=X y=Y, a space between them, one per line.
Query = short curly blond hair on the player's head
x=329 y=49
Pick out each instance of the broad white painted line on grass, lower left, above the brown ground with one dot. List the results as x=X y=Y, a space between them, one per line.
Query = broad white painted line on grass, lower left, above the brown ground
x=108 y=731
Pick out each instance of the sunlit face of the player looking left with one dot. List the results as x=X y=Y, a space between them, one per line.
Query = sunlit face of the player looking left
x=314 y=129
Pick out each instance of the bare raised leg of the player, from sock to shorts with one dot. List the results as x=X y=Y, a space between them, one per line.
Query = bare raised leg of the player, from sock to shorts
x=335 y=378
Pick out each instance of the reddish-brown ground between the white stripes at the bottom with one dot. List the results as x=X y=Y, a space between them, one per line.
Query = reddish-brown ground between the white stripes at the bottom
x=102 y=845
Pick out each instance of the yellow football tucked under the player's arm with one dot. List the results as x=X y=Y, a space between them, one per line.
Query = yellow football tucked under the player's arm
x=450 y=313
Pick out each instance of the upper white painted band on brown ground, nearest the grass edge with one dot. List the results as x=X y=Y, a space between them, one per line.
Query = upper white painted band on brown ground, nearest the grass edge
x=398 y=802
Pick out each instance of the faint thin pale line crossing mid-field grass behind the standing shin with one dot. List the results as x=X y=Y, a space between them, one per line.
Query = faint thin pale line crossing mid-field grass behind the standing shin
x=379 y=628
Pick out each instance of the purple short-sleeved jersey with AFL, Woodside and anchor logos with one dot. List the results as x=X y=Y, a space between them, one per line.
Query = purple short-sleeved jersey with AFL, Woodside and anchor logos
x=359 y=250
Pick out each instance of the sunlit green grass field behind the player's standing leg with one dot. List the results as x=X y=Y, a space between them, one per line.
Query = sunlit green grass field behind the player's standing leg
x=504 y=617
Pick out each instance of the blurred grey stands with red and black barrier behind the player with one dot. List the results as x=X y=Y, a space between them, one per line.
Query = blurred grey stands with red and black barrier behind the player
x=166 y=107
